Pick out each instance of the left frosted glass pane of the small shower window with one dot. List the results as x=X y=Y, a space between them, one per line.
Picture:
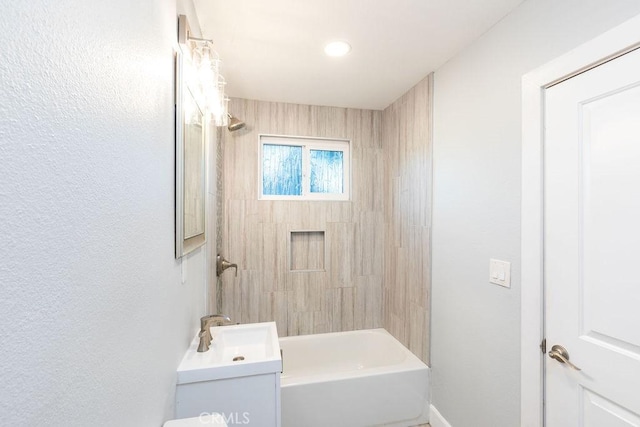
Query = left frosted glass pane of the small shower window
x=281 y=170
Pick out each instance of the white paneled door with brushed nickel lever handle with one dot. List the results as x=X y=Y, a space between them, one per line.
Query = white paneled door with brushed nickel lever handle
x=592 y=246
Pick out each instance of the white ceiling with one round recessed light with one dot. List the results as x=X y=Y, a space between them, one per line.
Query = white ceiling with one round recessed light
x=273 y=50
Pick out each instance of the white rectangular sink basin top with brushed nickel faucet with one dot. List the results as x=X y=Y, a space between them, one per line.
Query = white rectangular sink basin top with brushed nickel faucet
x=235 y=351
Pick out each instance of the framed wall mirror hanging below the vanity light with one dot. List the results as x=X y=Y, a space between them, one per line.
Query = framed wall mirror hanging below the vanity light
x=190 y=165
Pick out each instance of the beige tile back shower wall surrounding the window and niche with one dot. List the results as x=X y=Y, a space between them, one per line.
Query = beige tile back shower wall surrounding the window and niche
x=255 y=234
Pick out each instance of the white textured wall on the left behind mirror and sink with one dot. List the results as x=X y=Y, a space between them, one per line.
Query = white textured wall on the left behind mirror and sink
x=93 y=315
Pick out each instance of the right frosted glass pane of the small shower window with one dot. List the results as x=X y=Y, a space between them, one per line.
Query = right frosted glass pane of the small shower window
x=326 y=171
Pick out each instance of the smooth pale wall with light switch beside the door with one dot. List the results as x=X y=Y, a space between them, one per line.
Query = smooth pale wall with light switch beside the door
x=475 y=325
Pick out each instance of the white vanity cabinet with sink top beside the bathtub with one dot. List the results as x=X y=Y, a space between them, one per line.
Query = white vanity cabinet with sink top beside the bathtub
x=238 y=377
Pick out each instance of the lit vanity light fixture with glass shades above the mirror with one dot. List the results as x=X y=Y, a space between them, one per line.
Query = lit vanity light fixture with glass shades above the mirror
x=203 y=73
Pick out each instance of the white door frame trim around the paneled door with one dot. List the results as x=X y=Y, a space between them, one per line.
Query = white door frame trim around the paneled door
x=608 y=46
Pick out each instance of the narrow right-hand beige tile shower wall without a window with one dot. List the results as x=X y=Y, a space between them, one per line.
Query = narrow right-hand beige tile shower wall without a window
x=407 y=216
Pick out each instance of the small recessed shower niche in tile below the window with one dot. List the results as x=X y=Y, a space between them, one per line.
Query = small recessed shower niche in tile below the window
x=307 y=251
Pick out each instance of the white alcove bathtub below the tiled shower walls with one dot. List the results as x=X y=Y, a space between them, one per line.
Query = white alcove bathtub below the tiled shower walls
x=352 y=379
